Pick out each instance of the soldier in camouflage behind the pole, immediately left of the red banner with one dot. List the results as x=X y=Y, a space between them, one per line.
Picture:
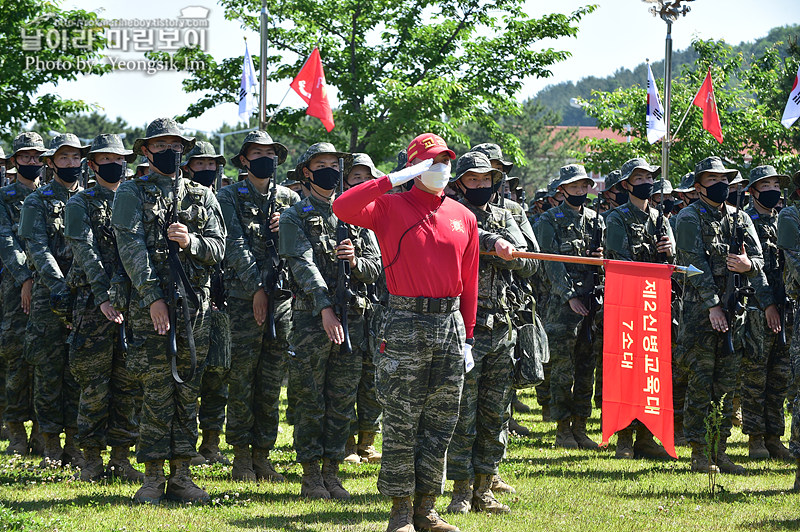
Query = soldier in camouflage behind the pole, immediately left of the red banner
x=566 y=229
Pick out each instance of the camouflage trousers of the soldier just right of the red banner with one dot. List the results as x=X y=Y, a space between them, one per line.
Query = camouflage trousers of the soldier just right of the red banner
x=711 y=373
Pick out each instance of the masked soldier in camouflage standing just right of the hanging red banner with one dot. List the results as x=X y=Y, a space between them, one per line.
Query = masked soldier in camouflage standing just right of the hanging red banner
x=703 y=235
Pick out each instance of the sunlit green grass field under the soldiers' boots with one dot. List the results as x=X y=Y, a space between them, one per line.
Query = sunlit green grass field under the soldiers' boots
x=557 y=490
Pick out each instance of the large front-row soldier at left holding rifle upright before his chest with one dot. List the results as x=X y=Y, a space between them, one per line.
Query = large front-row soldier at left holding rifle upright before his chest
x=140 y=218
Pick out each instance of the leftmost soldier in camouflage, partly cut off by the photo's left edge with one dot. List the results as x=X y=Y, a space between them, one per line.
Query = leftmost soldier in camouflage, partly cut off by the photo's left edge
x=16 y=288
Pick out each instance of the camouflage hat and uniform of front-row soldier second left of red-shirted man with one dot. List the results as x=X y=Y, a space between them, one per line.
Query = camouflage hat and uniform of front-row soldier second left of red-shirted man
x=257 y=362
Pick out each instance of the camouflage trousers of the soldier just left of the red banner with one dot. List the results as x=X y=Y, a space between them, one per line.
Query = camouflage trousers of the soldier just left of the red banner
x=572 y=364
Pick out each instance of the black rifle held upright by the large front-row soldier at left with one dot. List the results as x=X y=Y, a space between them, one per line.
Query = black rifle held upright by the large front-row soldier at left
x=179 y=290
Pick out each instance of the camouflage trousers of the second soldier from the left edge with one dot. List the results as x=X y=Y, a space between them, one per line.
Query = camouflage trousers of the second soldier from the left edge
x=55 y=391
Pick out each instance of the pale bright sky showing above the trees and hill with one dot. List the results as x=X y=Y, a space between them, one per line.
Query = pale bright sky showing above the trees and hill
x=621 y=33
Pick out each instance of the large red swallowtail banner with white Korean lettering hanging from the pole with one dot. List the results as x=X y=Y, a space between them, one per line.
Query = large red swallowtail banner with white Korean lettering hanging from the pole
x=637 y=349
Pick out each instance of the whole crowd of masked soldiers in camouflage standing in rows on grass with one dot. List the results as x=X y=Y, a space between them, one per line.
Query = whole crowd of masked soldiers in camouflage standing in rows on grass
x=128 y=303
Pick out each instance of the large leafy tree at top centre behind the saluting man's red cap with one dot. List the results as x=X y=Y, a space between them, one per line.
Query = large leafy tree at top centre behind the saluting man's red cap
x=400 y=67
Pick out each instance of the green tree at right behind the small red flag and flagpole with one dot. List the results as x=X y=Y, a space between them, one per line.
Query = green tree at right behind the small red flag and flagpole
x=750 y=102
